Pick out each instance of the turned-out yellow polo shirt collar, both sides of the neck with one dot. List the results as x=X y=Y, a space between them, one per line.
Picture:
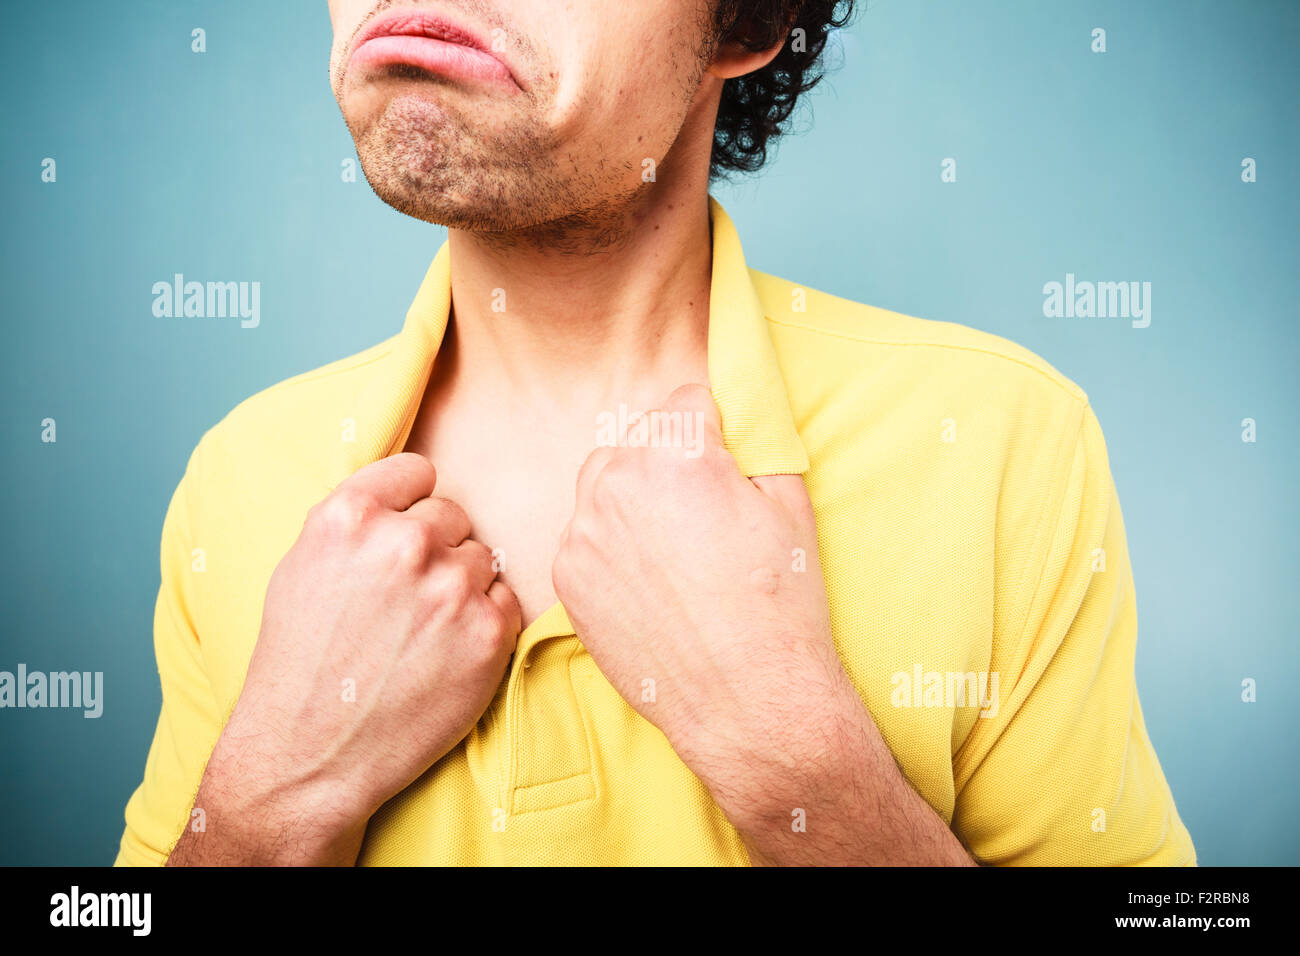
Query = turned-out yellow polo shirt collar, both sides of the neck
x=746 y=378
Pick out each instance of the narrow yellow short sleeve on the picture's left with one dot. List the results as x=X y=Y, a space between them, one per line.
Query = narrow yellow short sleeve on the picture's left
x=189 y=723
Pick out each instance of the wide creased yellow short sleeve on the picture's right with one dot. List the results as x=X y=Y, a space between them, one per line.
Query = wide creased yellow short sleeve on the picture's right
x=1064 y=773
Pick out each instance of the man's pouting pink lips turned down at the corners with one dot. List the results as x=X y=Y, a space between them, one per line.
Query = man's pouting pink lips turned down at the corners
x=431 y=44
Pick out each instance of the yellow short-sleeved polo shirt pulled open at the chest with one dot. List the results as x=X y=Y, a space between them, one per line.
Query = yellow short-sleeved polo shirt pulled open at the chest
x=974 y=553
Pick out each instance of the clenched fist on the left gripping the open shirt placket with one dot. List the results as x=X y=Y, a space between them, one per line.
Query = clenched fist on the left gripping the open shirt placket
x=384 y=638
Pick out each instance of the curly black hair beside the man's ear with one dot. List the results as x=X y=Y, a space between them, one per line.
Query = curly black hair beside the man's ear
x=756 y=109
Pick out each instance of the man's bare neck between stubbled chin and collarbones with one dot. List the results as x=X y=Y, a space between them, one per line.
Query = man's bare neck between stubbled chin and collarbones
x=584 y=312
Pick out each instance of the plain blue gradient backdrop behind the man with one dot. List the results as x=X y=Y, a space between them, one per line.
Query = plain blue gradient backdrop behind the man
x=1124 y=166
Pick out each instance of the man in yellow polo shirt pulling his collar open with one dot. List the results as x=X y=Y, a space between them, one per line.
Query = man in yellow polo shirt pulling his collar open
x=622 y=552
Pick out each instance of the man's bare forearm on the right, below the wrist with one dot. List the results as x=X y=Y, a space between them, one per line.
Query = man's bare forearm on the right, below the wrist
x=833 y=795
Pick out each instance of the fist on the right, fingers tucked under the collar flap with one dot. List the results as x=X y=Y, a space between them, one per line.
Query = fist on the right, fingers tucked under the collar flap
x=699 y=591
